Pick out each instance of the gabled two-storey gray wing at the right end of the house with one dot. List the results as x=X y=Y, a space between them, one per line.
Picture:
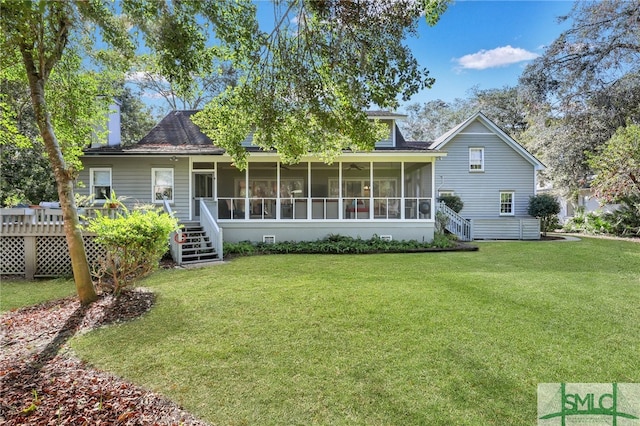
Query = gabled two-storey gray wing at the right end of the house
x=493 y=175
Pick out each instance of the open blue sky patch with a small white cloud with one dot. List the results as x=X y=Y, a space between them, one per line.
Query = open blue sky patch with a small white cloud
x=485 y=44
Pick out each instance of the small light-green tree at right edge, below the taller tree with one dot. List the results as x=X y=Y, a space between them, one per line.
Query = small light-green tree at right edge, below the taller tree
x=617 y=166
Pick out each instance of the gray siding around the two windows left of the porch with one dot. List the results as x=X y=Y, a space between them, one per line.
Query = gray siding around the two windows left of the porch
x=131 y=177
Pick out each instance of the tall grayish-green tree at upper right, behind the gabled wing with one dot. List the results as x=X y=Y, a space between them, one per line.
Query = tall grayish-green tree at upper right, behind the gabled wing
x=585 y=86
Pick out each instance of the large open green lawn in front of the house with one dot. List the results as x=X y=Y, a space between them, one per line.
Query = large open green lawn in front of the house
x=438 y=338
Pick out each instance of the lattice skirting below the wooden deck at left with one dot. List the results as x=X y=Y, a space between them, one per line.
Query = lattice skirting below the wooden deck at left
x=42 y=256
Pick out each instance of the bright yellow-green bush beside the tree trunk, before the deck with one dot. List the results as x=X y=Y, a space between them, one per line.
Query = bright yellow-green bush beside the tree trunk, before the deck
x=134 y=243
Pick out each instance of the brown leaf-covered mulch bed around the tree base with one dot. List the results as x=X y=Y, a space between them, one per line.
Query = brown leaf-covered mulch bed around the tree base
x=43 y=383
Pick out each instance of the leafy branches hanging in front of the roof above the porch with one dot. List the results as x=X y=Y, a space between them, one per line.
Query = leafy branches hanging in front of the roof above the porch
x=317 y=72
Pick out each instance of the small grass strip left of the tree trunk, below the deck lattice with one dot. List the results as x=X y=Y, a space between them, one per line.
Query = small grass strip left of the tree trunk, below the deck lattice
x=16 y=293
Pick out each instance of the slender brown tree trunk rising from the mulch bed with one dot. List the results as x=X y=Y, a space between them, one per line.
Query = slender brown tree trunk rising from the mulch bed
x=64 y=180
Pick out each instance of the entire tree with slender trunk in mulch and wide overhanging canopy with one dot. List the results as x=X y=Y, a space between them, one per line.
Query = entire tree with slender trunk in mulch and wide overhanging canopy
x=303 y=86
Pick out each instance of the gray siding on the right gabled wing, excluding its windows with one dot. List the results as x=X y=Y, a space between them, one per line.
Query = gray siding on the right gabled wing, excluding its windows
x=504 y=170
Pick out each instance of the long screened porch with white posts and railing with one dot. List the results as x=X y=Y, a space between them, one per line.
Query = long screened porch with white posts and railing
x=348 y=190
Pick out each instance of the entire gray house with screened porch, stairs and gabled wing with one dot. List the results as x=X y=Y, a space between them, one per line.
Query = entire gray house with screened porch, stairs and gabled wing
x=390 y=192
